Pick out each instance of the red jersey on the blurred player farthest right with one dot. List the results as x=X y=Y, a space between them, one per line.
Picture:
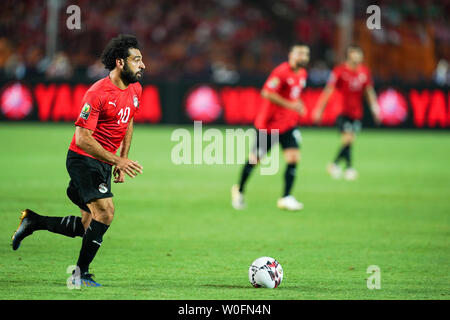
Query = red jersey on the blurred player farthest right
x=351 y=83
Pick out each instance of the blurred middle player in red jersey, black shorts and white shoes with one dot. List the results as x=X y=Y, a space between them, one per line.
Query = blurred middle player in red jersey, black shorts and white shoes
x=279 y=117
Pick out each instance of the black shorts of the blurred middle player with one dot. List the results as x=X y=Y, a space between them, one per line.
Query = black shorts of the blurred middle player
x=264 y=142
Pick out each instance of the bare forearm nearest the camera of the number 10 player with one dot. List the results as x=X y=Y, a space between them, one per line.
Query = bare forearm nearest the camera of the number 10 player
x=85 y=141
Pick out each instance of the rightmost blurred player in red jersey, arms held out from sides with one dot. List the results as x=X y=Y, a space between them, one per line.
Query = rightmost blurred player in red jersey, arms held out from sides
x=353 y=79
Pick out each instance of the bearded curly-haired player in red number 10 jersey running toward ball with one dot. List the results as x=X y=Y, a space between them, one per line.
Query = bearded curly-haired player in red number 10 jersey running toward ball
x=104 y=125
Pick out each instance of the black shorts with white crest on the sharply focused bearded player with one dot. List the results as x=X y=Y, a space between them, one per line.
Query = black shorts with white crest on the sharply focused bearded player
x=90 y=179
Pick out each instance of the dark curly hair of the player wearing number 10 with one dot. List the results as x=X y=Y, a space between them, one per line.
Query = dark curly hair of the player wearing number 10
x=117 y=48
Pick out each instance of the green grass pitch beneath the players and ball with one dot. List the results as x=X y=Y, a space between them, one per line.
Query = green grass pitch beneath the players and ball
x=175 y=235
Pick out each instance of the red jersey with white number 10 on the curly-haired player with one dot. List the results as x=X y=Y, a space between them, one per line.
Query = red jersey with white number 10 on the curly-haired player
x=107 y=110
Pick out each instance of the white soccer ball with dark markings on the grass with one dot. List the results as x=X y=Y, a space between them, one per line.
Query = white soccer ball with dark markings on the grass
x=265 y=272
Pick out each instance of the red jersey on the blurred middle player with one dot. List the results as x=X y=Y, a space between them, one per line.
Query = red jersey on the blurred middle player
x=288 y=84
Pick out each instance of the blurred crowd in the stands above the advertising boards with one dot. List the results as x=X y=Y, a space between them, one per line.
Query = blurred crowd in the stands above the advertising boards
x=227 y=41
